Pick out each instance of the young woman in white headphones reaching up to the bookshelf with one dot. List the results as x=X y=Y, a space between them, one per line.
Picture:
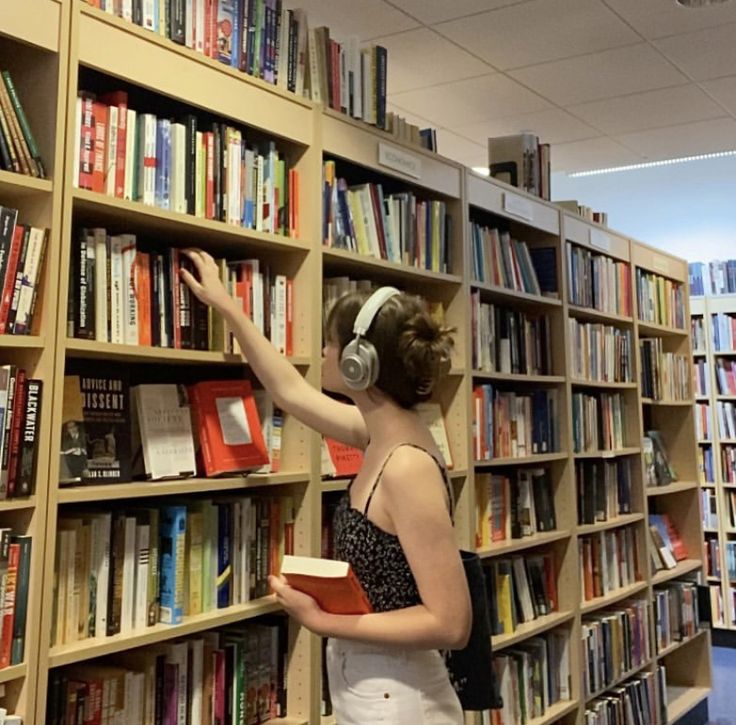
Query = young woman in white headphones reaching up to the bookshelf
x=394 y=525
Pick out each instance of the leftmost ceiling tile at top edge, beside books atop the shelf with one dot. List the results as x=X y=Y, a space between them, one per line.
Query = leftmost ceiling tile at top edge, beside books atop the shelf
x=364 y=18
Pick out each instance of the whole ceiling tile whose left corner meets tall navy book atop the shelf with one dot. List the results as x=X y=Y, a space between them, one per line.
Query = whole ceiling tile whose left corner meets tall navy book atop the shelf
x=470 y=101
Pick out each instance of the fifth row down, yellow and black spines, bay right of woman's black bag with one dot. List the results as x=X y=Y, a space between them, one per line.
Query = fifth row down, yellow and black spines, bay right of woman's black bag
x=522 y=589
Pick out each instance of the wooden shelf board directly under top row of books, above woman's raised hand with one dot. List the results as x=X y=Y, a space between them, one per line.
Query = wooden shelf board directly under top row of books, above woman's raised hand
x=208 y=233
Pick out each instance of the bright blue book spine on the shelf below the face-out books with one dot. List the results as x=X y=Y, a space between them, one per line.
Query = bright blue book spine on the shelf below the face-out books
x=173 y=526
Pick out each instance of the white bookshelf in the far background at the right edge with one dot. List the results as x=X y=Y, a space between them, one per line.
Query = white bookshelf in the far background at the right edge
x=710 y=354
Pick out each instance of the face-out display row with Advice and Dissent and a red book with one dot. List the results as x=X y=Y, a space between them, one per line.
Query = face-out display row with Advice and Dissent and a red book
x=114 y=434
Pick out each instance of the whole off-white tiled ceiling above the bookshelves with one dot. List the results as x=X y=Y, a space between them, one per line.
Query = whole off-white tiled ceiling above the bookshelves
x=606 y=82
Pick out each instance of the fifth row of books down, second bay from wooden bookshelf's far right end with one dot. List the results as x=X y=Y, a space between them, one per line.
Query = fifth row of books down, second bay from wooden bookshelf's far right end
x=608 y=561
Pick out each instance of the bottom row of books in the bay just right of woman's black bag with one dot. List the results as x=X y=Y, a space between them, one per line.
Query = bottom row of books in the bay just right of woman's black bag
x=532 y=677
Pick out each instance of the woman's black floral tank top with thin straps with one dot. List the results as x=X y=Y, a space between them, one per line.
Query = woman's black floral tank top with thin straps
x=375 y=555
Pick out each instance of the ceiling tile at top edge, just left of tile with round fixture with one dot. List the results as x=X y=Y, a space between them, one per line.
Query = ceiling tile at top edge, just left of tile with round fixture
x=539 y=31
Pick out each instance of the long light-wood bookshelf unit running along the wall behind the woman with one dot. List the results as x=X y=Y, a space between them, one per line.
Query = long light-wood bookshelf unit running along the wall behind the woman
x=77 y=47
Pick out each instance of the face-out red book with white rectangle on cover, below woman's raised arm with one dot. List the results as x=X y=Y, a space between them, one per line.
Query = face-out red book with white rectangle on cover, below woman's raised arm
x=227 y=424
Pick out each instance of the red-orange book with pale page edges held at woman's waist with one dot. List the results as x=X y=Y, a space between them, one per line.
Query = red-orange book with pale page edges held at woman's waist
x=332 y=583
